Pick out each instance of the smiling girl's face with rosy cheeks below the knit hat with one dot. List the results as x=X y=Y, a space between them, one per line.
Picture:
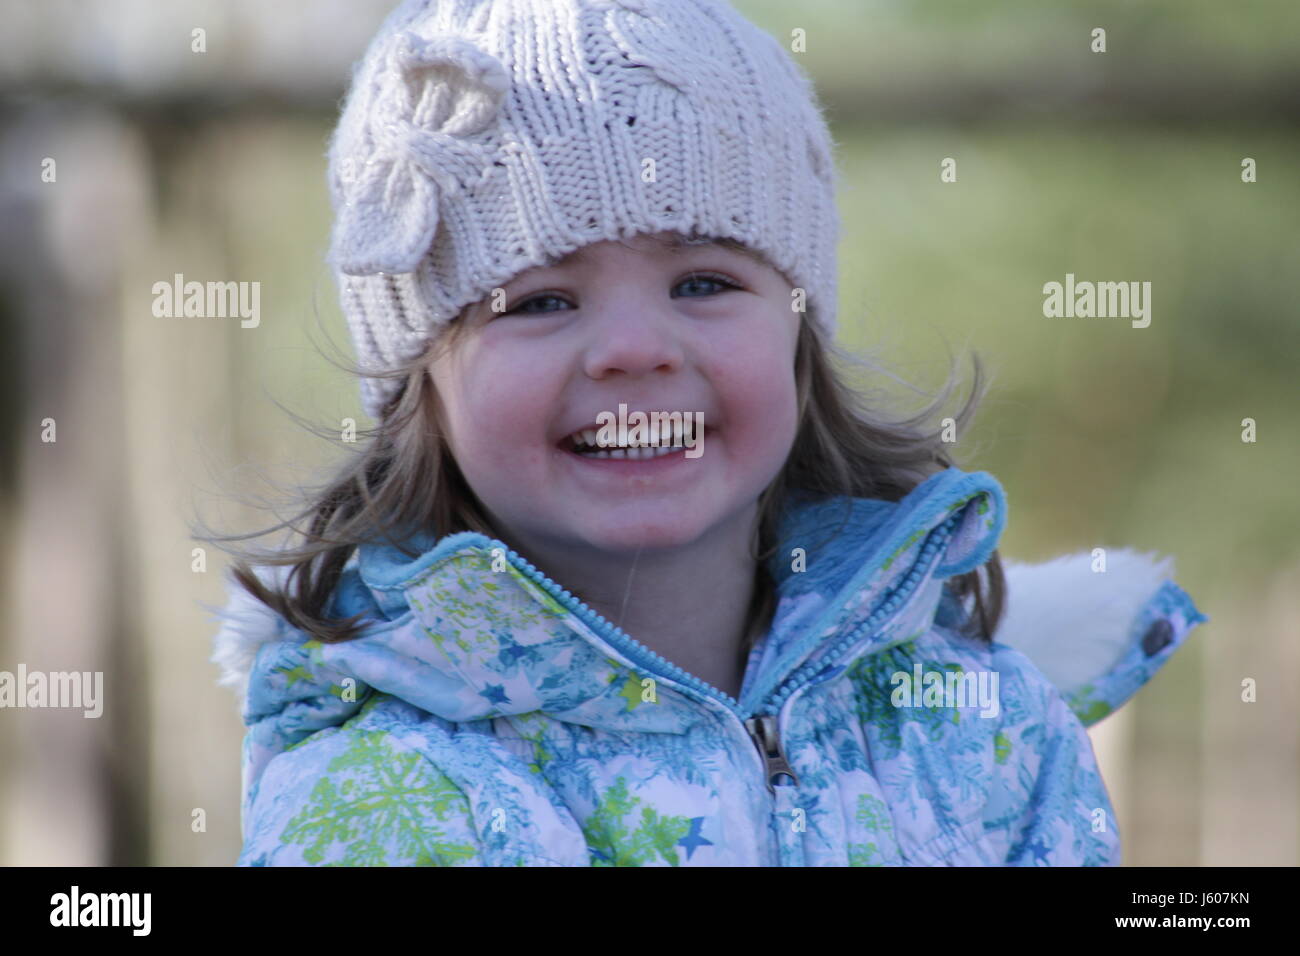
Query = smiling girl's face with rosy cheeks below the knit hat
x=645 y=323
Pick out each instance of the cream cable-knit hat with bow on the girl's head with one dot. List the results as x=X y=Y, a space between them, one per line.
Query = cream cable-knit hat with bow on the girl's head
x=486 y=137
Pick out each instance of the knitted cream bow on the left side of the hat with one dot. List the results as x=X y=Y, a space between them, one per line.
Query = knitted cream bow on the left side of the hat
x=432 y=94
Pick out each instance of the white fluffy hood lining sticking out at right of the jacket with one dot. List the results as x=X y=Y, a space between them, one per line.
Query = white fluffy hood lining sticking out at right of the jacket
x=1072 y=622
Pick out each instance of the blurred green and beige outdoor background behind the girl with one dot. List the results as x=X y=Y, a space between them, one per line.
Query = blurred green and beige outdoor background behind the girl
x=1116 y=166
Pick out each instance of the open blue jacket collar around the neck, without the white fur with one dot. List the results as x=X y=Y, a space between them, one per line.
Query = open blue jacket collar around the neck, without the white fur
x=470 y=630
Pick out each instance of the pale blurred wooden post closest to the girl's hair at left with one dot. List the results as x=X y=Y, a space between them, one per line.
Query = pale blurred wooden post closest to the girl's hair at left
x=177 y=397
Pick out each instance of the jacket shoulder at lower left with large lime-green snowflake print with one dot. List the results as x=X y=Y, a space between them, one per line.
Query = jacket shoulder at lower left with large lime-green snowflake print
x=400 y=786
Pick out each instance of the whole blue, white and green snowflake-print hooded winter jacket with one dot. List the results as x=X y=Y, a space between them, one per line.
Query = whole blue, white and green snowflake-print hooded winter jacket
x=488 y=717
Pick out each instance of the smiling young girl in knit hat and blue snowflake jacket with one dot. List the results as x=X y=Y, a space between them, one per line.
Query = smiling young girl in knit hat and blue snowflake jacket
x=626 y=574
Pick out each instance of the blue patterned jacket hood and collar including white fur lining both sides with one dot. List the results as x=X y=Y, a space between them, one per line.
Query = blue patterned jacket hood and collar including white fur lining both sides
x=469 y=630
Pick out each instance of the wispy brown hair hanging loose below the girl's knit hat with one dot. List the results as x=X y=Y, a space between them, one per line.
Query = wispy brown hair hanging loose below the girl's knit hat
x=405 y=478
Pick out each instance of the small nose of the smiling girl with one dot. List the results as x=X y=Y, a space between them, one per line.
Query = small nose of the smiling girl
x=635 y=339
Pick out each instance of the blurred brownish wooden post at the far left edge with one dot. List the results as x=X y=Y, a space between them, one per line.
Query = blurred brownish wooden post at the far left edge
x=76 y=799
